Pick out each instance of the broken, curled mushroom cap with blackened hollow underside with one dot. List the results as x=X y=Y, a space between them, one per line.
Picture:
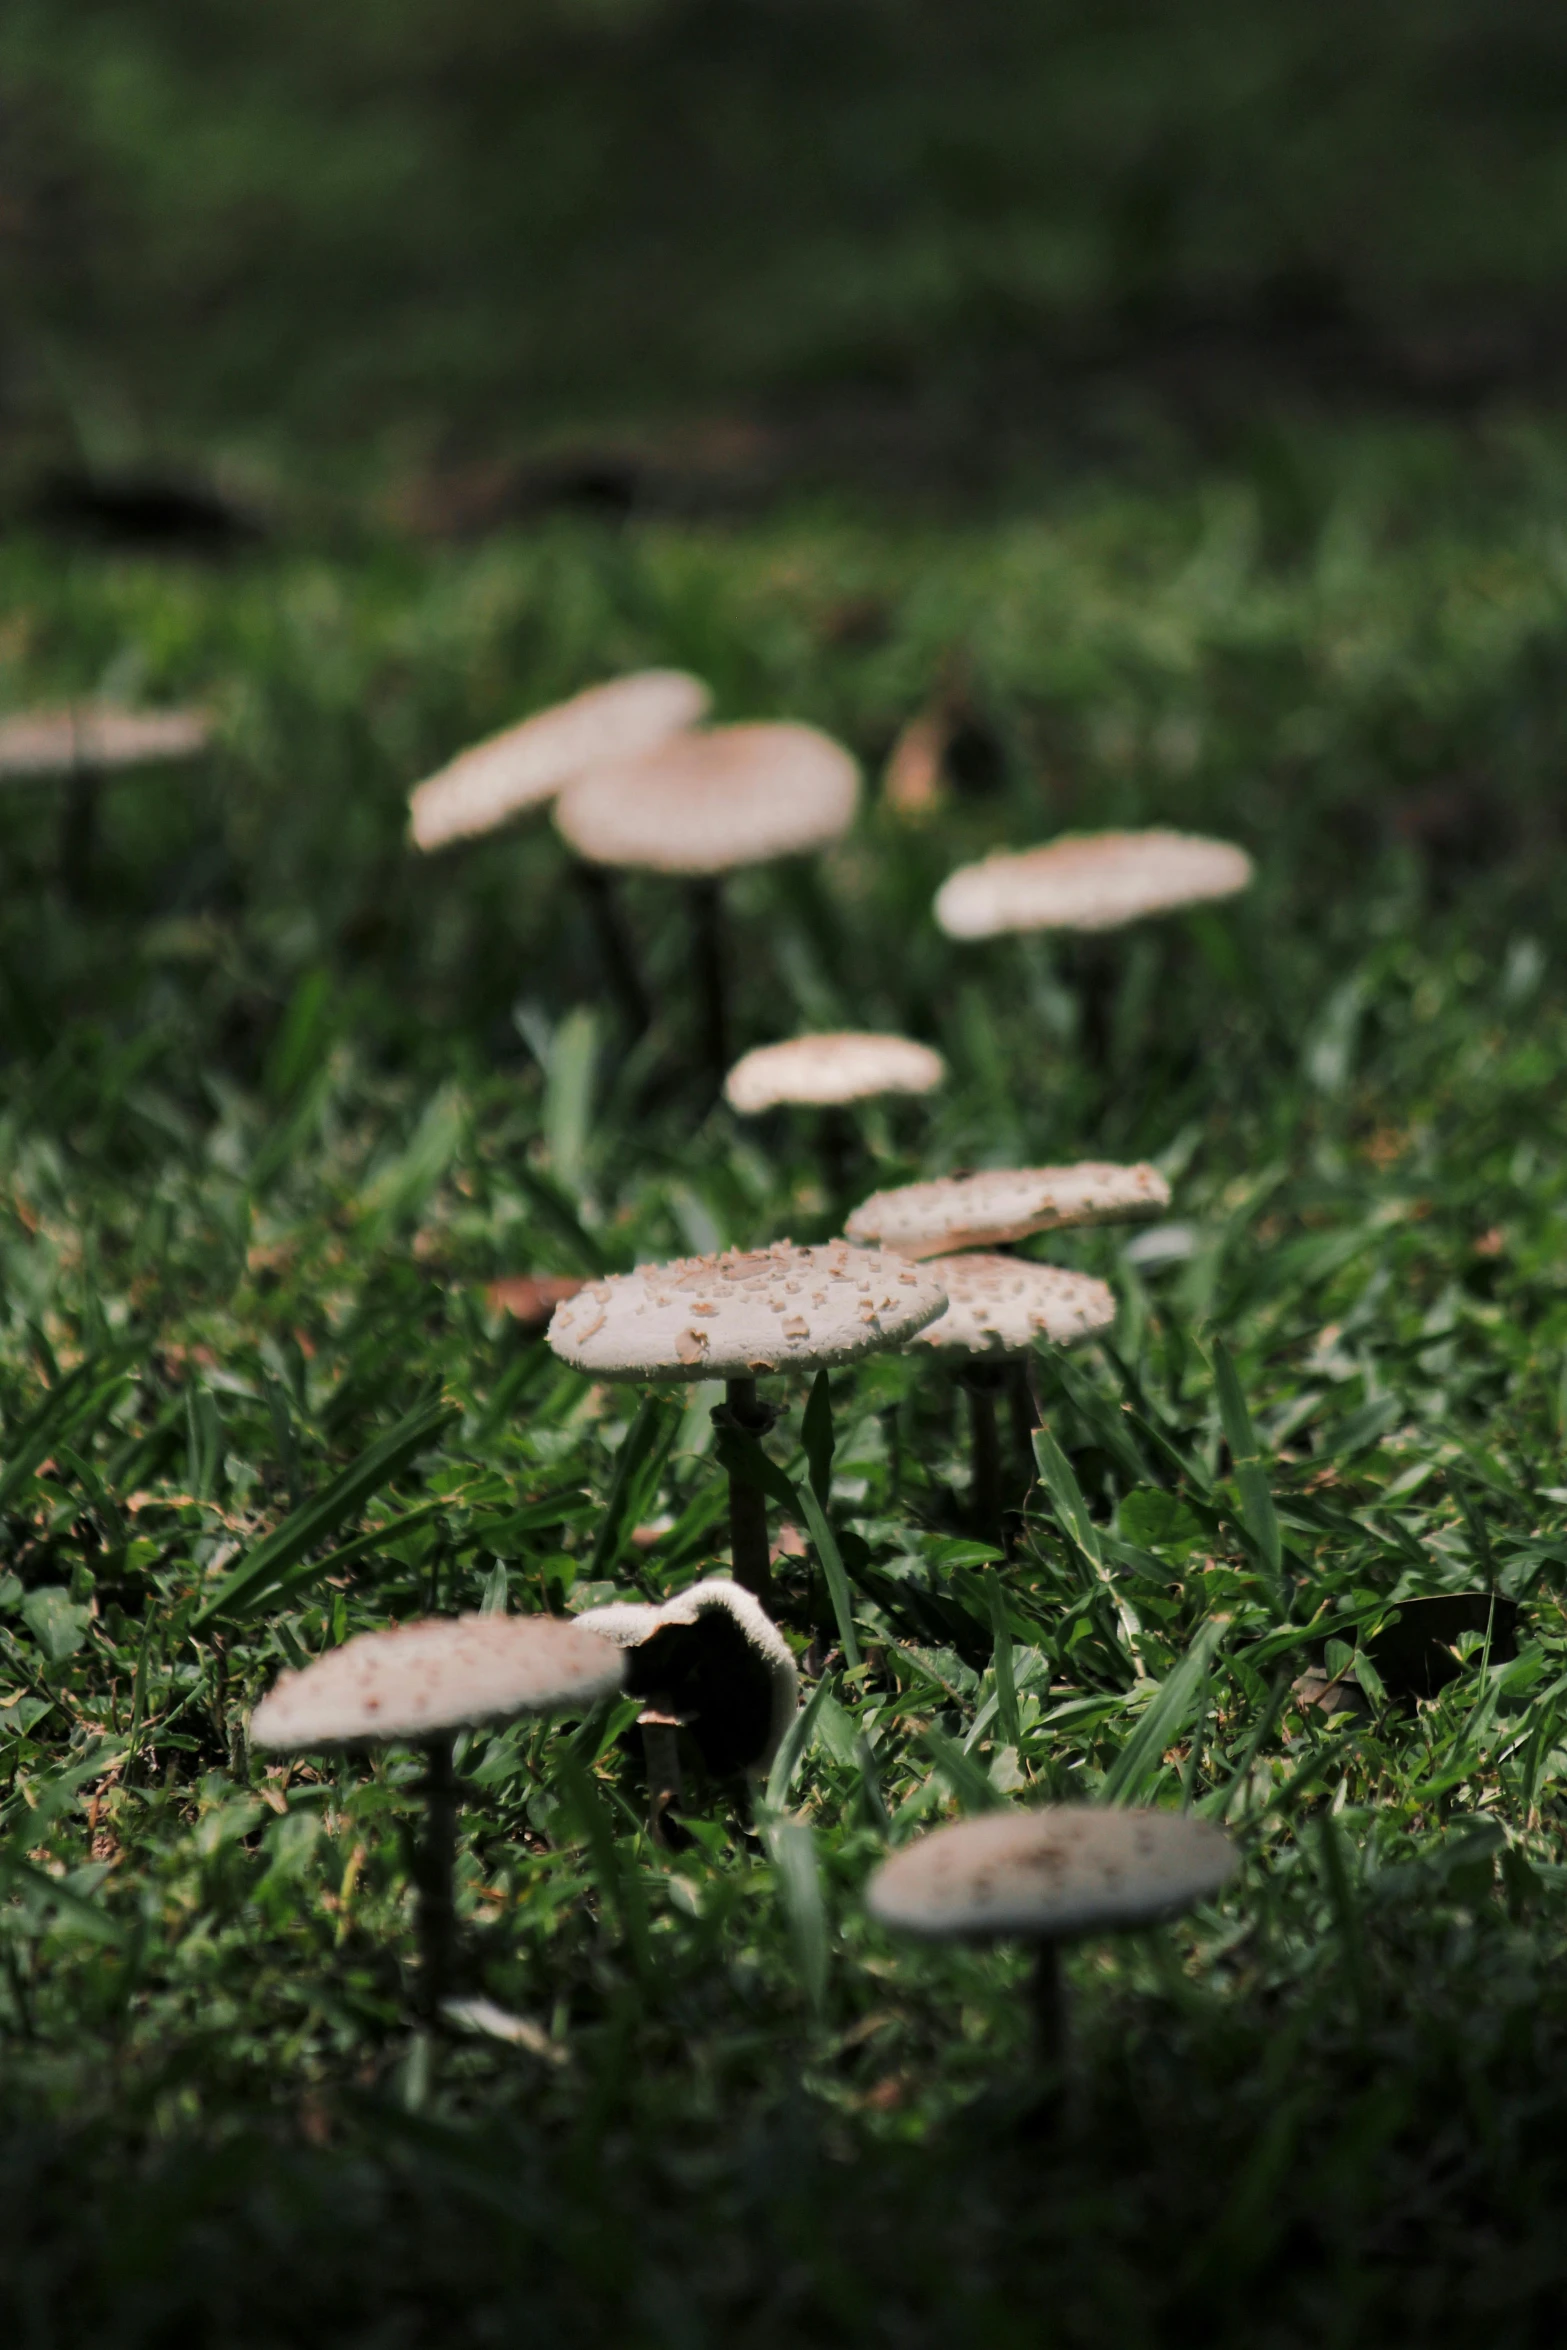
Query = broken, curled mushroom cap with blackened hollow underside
x=718 y=1660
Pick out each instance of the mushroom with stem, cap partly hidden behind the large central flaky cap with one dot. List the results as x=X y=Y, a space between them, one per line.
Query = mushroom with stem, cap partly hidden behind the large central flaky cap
x=997 y=1310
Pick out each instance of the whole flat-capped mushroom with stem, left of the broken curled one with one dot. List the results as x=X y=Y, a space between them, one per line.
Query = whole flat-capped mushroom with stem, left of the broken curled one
x=417 y=1686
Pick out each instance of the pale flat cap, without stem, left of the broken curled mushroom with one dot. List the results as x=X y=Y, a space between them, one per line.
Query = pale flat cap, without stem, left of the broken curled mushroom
x=443 y=1674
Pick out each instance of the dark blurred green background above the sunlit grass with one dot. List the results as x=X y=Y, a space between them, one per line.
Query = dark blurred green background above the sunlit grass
x=487 y=253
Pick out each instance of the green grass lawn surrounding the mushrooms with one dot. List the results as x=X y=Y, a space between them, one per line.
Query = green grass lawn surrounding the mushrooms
x=278 y=1108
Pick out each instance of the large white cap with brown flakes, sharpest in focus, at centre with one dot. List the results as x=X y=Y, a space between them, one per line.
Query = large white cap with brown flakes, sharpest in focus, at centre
x=746 y=1312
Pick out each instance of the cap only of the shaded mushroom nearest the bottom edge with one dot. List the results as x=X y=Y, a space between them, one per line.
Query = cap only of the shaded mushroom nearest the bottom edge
x=1056 y=1872
